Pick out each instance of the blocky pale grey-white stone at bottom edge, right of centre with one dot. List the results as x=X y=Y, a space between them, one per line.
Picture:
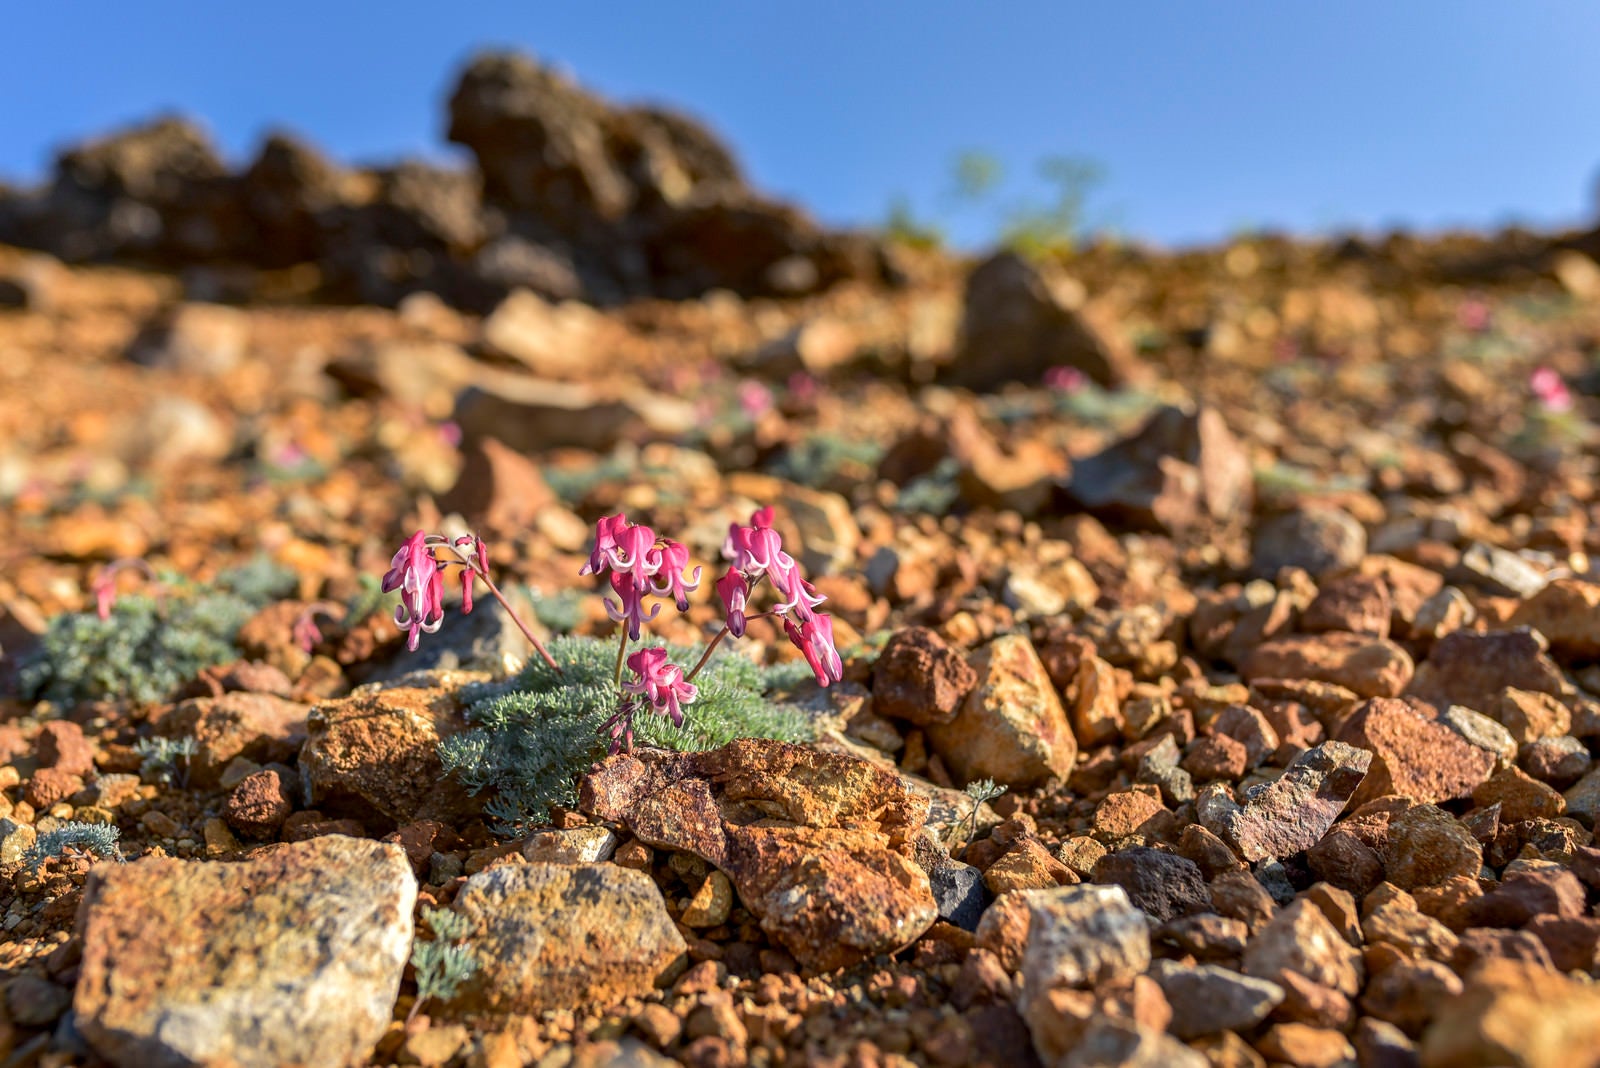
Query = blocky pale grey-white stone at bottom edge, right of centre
x=1082 y=936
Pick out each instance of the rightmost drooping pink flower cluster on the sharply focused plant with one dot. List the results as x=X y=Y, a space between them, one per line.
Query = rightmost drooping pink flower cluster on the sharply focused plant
x=758 y=552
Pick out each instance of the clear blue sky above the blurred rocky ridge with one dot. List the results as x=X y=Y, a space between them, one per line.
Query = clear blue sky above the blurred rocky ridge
x=1207 y=118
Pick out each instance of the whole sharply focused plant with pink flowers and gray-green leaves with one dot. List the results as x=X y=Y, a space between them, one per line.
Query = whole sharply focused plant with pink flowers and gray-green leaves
x=530 y=741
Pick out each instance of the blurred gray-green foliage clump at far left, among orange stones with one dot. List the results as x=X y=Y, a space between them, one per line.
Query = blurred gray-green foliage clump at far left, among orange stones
x=153 y=644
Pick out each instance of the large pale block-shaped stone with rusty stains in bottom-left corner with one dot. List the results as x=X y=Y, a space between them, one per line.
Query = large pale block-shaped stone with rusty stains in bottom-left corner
x=298 y=958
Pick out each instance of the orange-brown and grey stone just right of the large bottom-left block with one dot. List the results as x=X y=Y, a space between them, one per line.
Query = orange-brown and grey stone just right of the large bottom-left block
x=554 y=936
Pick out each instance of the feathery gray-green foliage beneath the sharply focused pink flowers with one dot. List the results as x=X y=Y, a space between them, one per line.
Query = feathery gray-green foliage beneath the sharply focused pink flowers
x=529 y=744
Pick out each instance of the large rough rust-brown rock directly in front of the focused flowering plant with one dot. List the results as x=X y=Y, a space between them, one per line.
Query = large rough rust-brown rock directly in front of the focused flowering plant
x=818 y=845
